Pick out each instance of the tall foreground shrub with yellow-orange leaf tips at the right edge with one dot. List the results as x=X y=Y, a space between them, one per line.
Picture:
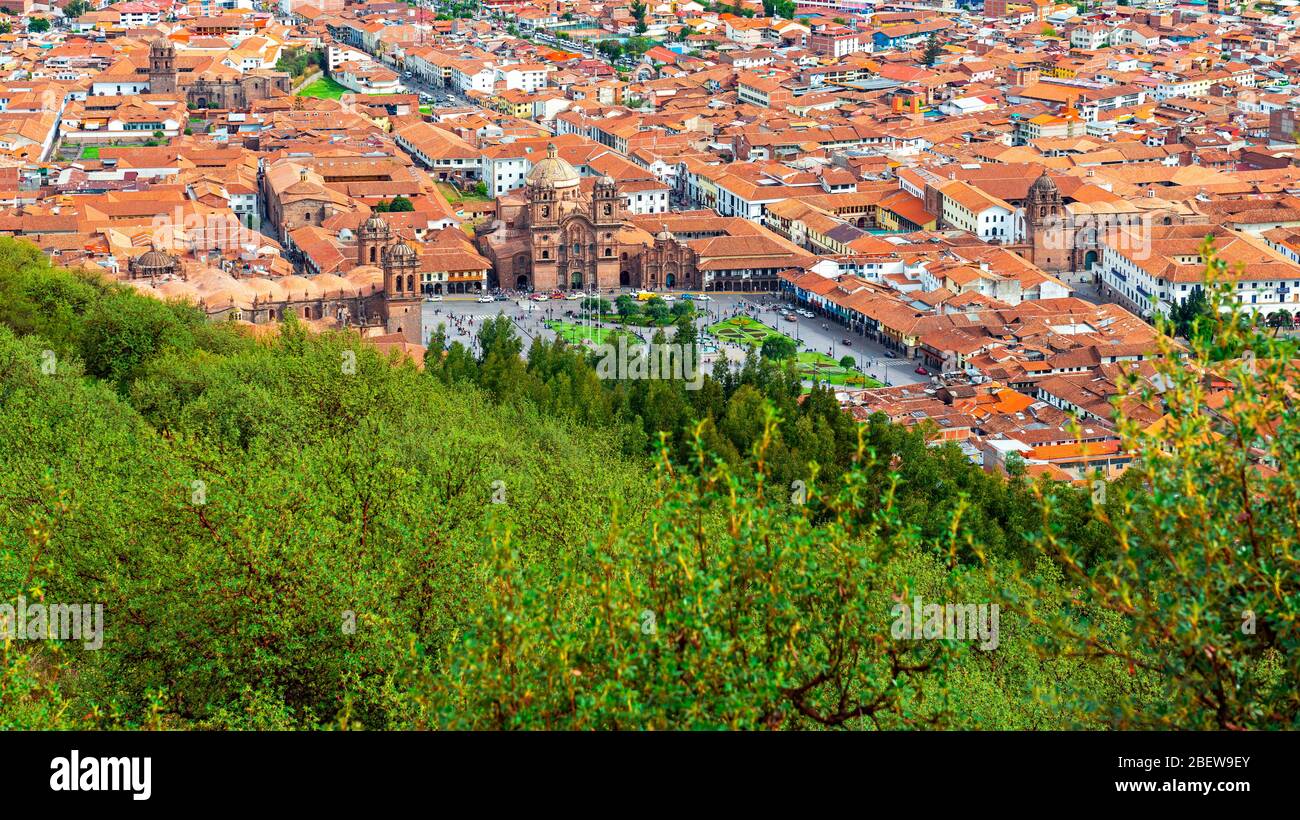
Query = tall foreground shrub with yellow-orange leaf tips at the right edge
x=1204 y=556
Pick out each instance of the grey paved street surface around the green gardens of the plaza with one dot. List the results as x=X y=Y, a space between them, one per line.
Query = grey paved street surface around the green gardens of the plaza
x=463 y=316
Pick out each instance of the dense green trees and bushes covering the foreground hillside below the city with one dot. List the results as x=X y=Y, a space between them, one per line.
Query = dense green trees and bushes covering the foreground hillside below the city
x=300 y=533
